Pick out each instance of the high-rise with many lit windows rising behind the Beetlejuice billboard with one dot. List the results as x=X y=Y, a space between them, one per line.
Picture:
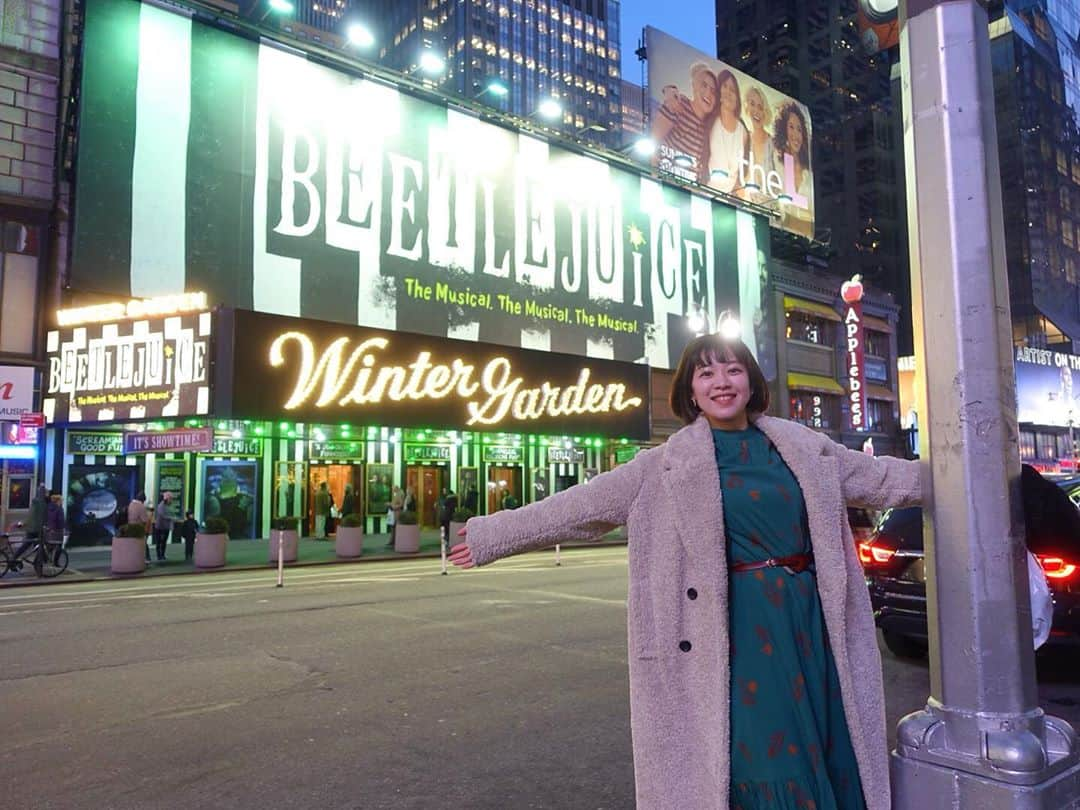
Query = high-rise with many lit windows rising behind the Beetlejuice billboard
x=537 y=49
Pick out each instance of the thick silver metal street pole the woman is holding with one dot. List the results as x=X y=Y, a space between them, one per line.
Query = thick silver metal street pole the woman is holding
x=982 y=741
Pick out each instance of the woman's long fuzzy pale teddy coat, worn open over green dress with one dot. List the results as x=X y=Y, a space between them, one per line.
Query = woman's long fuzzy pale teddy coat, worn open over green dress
x=669 y=497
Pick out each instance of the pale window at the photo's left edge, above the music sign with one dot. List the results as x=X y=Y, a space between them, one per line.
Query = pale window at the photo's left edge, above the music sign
x=19 y=287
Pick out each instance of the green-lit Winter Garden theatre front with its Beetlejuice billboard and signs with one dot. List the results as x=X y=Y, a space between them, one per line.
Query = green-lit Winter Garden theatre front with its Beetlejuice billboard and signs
x=335 y=279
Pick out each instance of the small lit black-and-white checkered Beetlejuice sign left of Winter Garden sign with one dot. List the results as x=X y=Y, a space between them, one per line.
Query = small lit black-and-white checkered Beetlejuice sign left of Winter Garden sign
x=147 y=369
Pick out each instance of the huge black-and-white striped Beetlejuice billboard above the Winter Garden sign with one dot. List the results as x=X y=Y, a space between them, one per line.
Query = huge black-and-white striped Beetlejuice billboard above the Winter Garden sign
x=209 y=161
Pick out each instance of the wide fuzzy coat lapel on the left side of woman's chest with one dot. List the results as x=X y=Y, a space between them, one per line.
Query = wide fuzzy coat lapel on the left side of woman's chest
x=693 y=487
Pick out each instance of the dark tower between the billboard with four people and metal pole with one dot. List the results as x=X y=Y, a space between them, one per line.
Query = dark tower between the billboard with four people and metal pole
x=813 y=52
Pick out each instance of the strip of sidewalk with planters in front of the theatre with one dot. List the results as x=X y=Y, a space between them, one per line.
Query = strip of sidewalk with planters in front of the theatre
x=92 y=563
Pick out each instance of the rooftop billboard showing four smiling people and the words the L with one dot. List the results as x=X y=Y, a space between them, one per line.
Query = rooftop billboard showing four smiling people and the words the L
x=725 y=130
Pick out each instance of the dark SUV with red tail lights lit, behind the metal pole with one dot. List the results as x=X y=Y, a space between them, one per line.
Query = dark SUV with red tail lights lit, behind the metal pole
x=896 y=573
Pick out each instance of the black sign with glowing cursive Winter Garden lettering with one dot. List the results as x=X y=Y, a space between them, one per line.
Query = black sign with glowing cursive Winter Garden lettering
x=326 y=373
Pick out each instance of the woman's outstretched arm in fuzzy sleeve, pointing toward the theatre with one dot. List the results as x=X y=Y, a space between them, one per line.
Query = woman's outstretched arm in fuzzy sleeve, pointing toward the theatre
x=583 y=512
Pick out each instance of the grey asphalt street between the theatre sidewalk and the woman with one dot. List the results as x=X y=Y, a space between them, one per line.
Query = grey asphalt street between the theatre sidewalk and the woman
x=375 y=686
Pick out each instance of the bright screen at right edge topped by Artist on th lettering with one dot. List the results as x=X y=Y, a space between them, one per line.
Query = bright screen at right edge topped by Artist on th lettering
x=1048 y=387
